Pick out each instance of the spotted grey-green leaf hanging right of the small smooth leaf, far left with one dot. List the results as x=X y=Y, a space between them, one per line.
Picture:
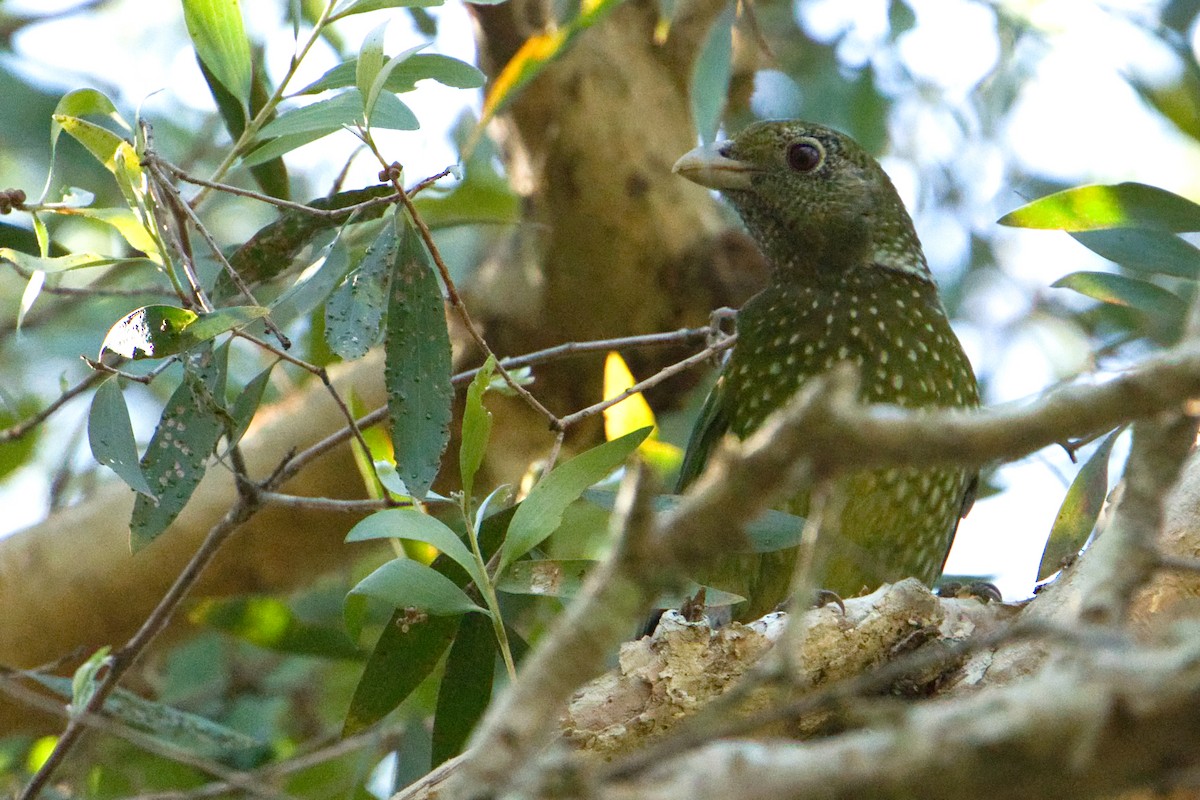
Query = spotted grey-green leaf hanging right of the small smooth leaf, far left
x=178 y=454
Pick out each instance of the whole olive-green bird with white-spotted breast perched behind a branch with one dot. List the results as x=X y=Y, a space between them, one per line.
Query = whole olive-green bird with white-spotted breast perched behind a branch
x=849 y=285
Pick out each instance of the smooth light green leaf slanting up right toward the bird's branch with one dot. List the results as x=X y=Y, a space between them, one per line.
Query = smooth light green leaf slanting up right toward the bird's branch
x=541 y=514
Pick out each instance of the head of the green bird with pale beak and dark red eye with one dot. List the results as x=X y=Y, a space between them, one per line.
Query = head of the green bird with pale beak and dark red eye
x=814 y=200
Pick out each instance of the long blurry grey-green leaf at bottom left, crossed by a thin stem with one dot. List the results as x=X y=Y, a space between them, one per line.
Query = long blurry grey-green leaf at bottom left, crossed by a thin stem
x=188 y=732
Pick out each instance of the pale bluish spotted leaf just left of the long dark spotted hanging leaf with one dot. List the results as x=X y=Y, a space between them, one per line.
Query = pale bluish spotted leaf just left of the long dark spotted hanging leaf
x=355 y=315
